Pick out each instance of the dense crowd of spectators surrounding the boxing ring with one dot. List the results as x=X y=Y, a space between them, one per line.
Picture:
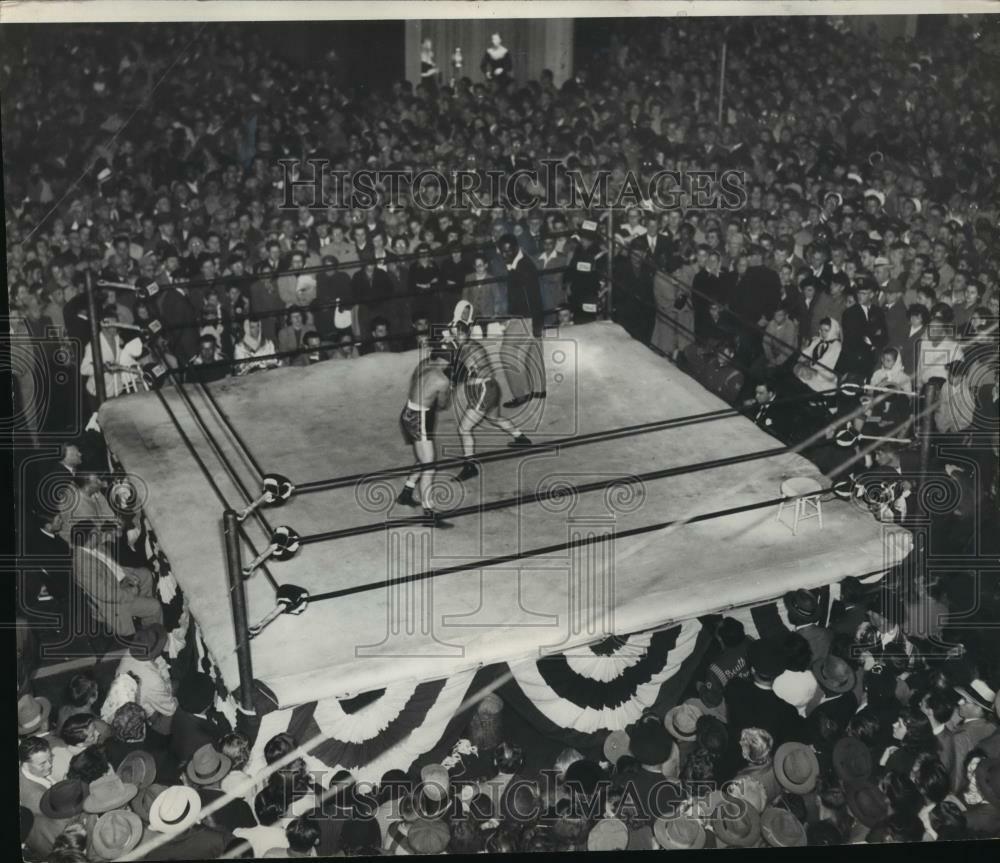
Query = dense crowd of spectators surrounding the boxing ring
x=866 y=254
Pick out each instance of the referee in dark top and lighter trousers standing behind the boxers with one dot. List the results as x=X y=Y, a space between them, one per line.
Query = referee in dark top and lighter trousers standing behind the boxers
x=522 y=349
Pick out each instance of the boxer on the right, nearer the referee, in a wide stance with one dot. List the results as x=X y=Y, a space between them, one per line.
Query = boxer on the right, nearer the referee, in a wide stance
x=473 y=371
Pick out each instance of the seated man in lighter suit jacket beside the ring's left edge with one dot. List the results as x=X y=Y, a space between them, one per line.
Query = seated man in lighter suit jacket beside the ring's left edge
x=118 y=593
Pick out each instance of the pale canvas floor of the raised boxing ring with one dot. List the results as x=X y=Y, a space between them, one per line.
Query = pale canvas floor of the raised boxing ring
x=645 y=501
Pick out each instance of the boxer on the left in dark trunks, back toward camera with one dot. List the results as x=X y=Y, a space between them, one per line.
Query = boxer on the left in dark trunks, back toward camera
x=430 y=391
